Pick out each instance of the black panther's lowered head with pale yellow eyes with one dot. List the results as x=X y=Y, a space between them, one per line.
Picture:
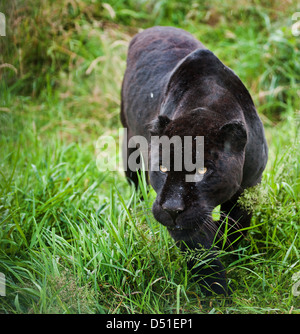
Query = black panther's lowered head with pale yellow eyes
x=185 y=208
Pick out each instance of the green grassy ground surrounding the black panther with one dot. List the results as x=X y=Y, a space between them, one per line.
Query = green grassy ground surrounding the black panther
x=76 y=240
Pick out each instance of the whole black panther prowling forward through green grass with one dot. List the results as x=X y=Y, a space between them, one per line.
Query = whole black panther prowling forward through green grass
x=175 y=86
